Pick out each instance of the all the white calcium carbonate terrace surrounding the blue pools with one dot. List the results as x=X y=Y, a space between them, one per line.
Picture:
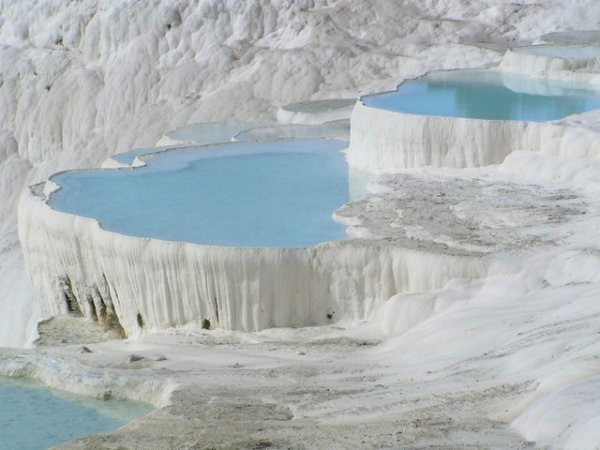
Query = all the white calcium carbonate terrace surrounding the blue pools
x=461 y=313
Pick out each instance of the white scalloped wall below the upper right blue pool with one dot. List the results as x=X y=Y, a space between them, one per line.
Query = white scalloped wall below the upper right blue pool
x=387 y=141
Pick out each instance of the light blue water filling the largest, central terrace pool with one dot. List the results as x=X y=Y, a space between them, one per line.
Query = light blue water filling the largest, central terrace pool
x=275 y=194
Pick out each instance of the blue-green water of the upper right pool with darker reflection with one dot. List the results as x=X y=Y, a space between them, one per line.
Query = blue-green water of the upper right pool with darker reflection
x=488 y=95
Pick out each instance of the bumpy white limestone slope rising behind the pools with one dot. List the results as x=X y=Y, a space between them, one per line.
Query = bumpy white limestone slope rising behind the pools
x=80 y=81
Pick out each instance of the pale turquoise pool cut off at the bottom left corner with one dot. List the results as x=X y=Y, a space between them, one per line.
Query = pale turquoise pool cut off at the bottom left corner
x=32 y=417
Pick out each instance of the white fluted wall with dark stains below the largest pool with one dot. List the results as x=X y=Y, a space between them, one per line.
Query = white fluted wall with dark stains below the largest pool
x=149 y=284
